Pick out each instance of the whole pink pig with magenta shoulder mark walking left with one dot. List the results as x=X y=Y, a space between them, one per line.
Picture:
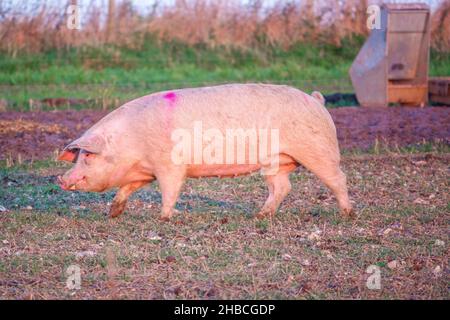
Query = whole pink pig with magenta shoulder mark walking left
x=134 y=144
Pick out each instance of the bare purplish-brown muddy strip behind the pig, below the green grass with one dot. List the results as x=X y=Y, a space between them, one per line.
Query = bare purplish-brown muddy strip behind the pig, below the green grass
x=36 y=135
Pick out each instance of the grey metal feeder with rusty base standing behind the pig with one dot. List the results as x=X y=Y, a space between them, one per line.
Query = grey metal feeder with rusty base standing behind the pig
x=392 y=65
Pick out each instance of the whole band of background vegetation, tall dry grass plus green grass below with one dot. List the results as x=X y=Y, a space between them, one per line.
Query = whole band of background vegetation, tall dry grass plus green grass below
x=121 y=53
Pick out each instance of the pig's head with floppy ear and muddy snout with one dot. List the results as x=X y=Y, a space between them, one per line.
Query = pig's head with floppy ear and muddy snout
x=94 y=168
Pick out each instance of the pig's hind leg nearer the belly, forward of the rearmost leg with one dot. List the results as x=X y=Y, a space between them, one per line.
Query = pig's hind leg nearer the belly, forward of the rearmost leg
x=279 y=186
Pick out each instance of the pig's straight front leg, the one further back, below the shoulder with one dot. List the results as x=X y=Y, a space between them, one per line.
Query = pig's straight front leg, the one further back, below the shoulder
x=170 y=183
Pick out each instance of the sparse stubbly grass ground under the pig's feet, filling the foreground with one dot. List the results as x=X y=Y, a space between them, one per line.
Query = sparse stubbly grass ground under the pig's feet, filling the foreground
x=215 y=249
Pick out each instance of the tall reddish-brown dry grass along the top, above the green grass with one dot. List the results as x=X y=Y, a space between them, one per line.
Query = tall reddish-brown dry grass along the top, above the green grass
x=231 y=24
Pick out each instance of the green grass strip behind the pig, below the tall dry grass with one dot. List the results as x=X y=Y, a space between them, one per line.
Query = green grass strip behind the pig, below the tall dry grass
x=112 y=75
